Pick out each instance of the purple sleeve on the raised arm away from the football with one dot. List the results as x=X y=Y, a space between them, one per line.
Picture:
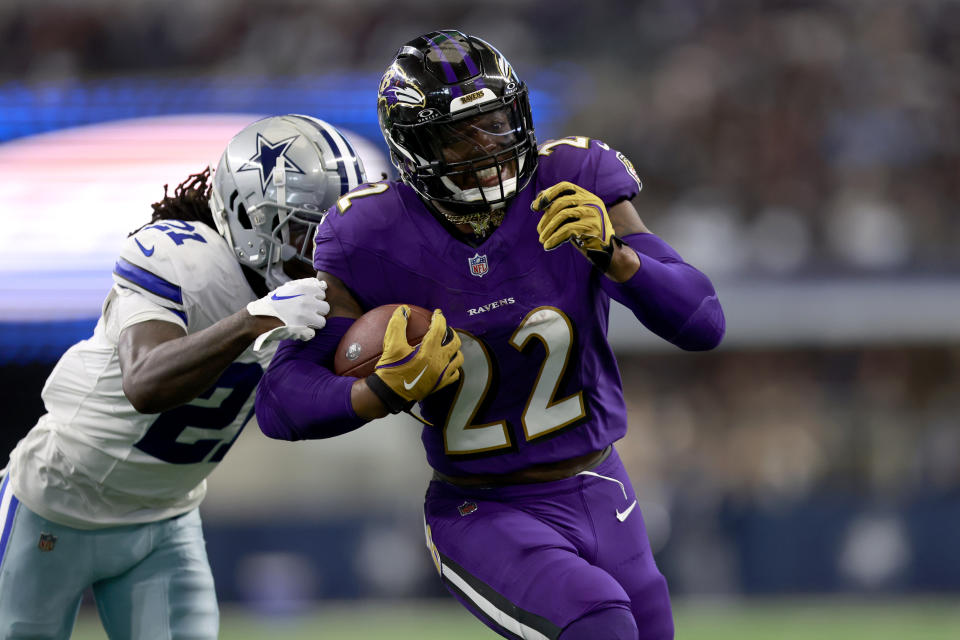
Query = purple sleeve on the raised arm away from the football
x=670 y=297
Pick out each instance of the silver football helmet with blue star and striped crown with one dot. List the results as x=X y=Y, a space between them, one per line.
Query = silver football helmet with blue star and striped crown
x=273 y=185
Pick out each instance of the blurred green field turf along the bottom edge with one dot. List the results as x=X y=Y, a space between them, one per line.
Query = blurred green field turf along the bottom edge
x=791 y=619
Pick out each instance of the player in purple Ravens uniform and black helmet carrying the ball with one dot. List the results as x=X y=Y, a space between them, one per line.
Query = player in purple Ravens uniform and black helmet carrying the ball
x=530 y=517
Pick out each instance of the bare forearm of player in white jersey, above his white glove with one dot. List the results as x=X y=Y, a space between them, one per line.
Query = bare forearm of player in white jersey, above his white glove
x=176 y=371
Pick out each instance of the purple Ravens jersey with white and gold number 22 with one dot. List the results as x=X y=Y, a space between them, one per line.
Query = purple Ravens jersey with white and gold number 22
x=539 y=380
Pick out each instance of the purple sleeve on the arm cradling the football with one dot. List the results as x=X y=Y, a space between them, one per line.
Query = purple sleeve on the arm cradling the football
x=299 y=396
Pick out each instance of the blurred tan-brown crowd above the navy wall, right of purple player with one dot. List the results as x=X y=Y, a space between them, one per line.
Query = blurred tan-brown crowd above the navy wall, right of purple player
x=781 y=425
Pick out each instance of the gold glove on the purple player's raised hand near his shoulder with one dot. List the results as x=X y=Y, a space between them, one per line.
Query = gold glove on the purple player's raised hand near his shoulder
x=572 y=213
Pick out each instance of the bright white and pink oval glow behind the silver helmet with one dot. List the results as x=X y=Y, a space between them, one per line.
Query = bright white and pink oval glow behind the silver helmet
x=69 y=198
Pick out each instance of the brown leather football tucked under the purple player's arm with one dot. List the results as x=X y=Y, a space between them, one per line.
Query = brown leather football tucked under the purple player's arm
x=362 y=345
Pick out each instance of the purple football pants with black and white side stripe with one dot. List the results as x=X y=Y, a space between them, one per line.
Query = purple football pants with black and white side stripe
x=528 y=560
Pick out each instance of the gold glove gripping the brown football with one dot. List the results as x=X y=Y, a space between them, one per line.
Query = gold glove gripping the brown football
x=404 y=374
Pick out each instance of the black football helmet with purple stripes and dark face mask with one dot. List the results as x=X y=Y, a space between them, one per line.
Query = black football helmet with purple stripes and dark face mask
x=457 y=121
